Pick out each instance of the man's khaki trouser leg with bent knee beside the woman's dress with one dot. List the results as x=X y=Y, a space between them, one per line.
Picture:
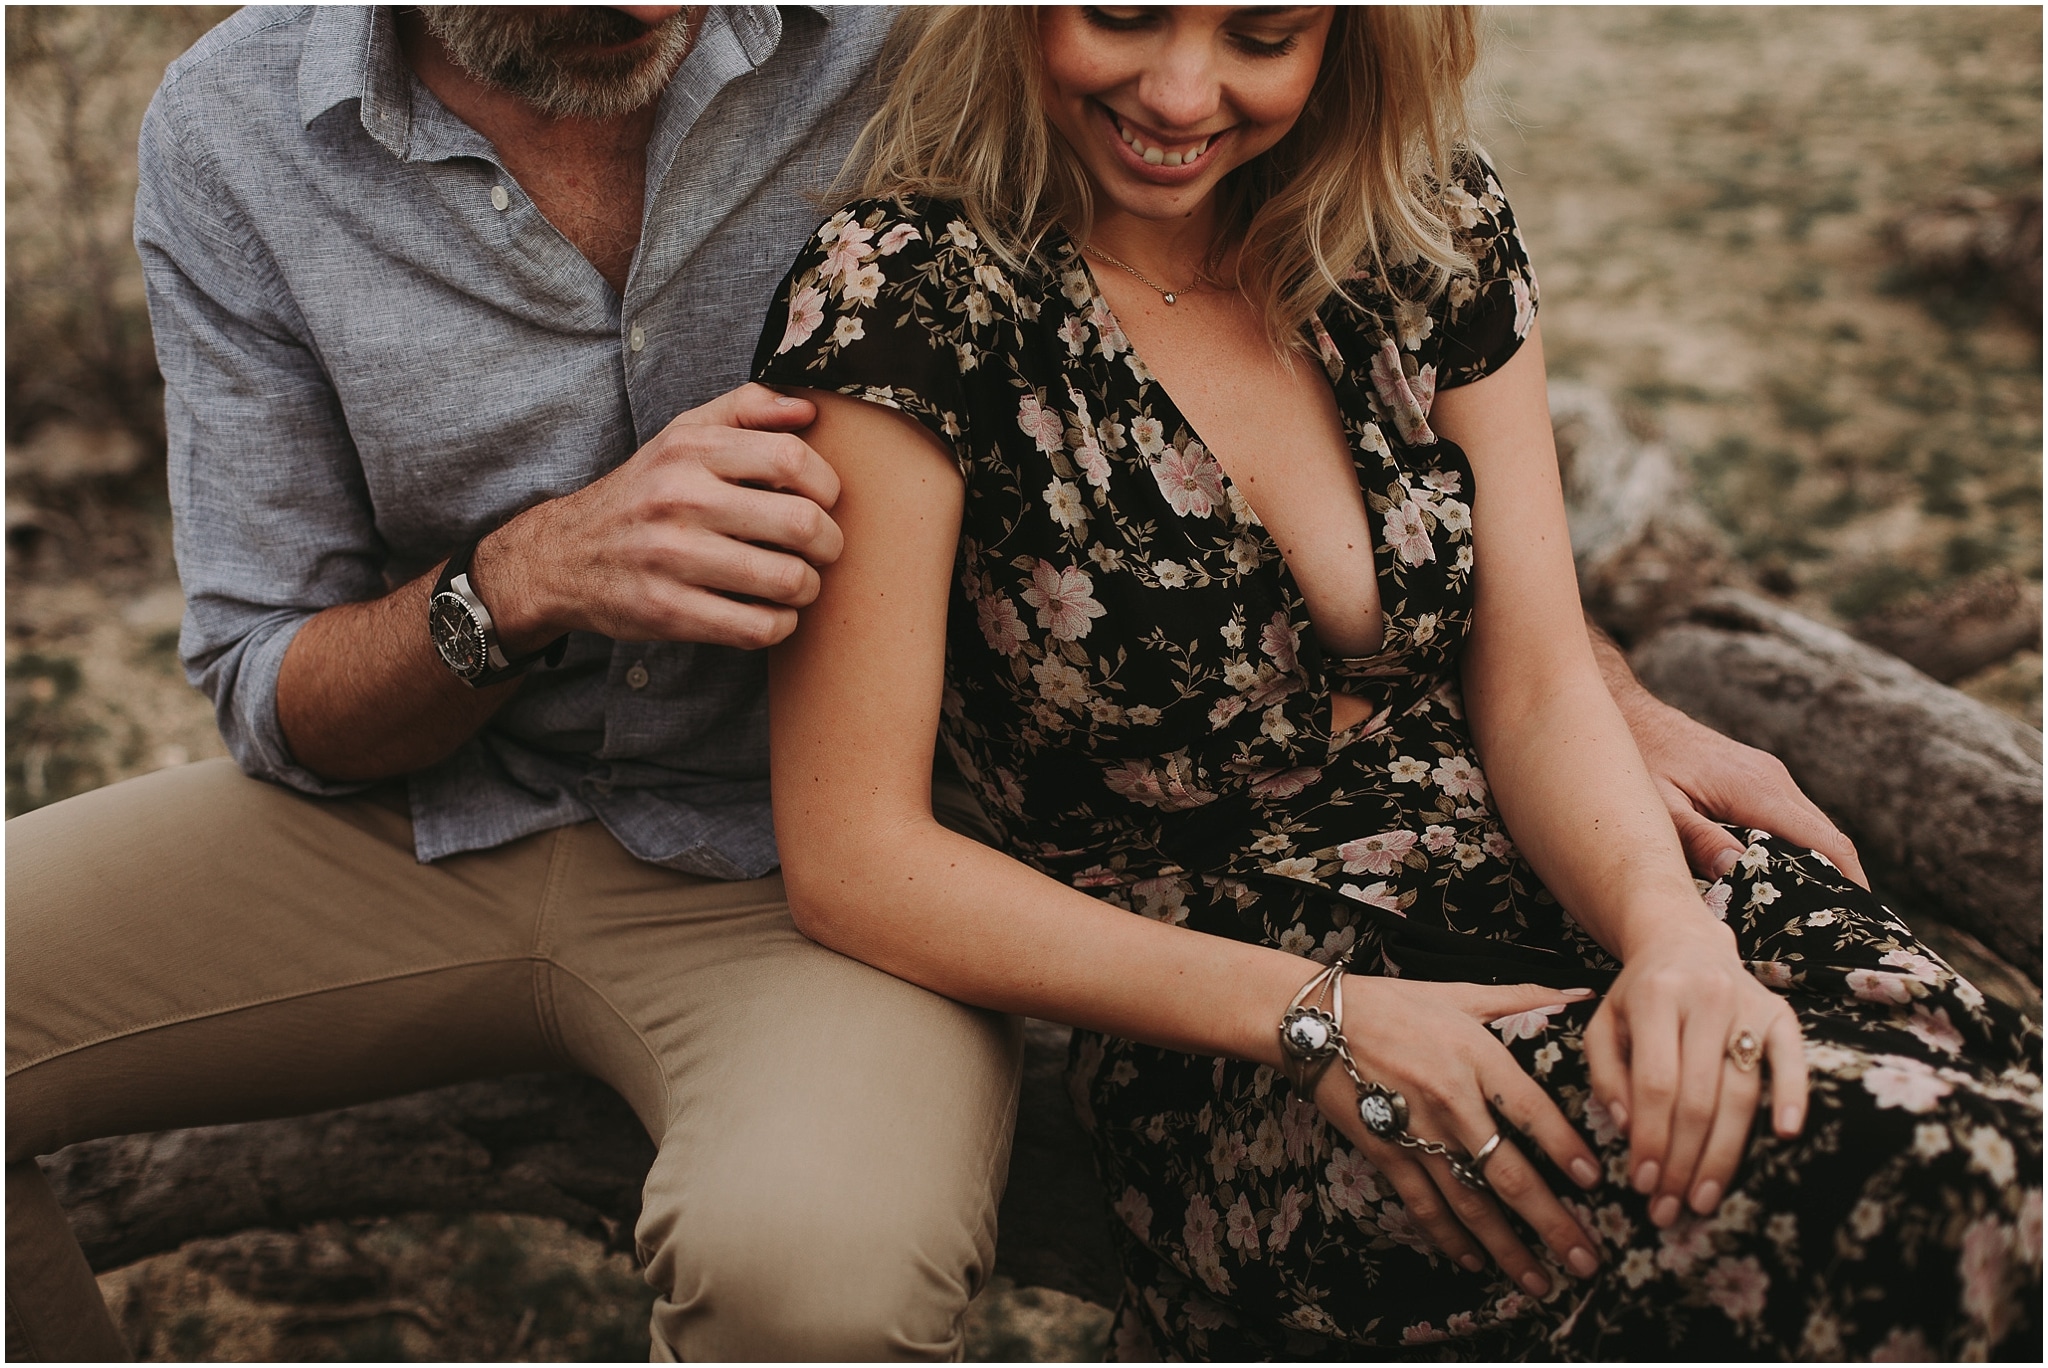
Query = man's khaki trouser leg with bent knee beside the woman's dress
x=833 y=1140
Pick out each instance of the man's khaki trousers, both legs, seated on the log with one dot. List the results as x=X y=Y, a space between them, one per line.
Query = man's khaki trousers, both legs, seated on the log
x=198 y=947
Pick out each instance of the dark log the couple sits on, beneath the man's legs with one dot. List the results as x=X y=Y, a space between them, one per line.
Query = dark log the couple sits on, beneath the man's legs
x=544 y=1144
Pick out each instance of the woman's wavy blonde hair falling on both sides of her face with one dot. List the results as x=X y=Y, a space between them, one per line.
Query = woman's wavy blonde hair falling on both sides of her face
x=1351 y=191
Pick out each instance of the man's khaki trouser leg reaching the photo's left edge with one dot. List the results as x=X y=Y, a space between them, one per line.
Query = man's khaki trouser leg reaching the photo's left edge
x=198 y=947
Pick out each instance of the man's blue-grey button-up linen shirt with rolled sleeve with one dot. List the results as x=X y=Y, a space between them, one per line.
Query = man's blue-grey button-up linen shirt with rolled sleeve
x=376 y=349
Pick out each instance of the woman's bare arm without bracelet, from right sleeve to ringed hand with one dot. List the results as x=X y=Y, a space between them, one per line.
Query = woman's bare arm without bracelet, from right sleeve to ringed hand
x=1580 y=804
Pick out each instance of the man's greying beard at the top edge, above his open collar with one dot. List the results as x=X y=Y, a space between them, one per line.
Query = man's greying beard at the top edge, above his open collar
x=544 y=54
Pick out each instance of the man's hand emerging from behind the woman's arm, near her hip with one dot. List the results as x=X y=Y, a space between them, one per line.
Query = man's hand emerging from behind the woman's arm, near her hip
x=1707 y=777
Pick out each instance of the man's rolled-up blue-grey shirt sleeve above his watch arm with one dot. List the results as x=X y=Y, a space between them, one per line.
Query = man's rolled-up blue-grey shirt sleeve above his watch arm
x=269 y=501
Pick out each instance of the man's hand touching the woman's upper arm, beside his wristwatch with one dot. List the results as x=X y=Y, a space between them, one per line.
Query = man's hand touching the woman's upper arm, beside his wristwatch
x=714 y=531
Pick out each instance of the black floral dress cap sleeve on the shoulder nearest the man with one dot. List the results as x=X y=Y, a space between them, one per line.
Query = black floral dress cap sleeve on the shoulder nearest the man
x=865 y=312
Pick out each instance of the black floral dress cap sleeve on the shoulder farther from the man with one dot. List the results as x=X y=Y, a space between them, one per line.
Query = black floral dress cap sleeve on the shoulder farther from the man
x=1488 y=314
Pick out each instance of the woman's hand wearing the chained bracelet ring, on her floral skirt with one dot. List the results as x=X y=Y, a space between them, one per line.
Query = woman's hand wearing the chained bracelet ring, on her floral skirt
x=1431 y=1043
